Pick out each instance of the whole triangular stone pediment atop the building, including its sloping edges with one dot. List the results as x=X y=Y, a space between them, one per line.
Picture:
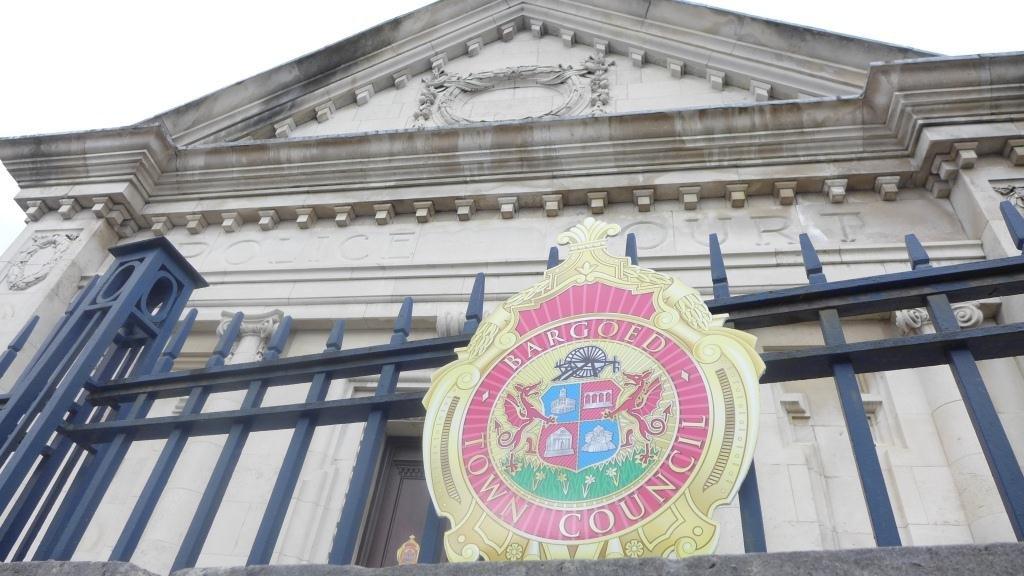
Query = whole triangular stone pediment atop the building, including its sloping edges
x=465 y=62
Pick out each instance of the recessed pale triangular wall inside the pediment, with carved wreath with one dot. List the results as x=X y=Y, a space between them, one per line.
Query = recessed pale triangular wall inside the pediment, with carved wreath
x=529 y=77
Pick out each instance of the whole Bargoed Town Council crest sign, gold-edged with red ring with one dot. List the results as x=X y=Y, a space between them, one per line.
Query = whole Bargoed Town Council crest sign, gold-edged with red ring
x=603 y=413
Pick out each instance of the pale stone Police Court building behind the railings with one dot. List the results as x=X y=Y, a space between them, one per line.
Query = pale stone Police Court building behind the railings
x=463 y=138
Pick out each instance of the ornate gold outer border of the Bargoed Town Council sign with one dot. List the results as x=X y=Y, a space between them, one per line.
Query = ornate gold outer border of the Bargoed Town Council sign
x=726 y=357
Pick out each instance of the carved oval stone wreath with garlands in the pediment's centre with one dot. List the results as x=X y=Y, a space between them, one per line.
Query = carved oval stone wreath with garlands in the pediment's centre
x=450 y=100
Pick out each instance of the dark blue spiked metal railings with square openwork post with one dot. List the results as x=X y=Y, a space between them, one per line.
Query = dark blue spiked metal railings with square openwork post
x=84 y=398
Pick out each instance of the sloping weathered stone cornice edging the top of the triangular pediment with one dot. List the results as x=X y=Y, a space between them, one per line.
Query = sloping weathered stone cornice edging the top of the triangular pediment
x=805 y=60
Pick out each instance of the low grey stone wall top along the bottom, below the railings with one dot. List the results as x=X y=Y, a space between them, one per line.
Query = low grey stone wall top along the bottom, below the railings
x=992 y=560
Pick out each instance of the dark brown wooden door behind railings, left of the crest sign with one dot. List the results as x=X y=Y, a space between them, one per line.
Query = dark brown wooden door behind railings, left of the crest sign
x=399 y=507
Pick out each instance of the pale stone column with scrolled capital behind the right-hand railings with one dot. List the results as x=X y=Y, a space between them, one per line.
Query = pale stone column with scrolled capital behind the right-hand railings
x=979 y=498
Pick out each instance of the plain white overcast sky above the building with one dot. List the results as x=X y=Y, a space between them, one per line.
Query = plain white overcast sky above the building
x=72 y=66
